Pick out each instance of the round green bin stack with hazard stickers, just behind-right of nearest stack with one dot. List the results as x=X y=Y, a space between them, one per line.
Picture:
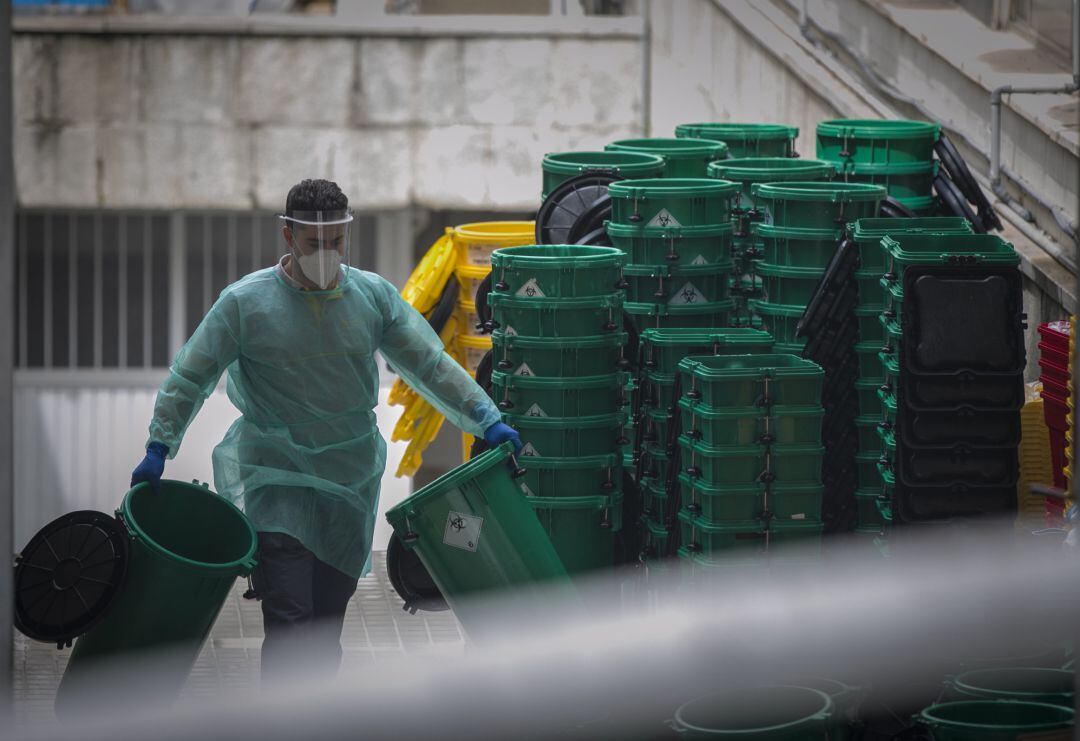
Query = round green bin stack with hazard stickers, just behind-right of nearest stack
x=677 y=234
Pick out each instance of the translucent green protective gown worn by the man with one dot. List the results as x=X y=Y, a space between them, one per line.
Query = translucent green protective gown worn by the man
x=306 y=459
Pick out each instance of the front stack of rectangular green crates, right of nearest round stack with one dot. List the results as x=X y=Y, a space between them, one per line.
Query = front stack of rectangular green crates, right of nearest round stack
x=751 y=454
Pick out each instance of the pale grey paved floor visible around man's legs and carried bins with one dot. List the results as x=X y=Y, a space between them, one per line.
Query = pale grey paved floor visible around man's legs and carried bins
x=375 y=628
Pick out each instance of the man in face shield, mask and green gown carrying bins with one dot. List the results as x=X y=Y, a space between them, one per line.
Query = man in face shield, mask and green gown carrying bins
x=305 y=460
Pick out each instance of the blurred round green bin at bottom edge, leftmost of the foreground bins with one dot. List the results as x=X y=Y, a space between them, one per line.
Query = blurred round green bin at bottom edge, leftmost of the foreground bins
x=775 y=713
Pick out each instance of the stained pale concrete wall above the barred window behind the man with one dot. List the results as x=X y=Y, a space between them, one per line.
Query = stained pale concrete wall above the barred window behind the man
x=232 y=122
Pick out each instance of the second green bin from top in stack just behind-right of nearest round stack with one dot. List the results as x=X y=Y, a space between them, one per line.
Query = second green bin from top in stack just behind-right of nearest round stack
x=676 y=247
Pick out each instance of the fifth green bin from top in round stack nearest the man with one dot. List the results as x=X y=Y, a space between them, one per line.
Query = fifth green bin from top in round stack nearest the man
x=569 y=437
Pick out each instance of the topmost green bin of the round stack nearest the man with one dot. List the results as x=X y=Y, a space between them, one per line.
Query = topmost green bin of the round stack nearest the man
x=557 y=272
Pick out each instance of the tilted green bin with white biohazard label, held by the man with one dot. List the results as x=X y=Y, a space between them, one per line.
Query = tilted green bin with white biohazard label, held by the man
x=476 y=534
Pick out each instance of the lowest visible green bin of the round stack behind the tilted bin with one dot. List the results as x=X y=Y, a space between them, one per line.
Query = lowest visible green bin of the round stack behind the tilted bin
x=582 y=529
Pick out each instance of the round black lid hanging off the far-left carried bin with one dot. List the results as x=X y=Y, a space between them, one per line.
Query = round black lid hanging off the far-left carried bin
x=69 y=575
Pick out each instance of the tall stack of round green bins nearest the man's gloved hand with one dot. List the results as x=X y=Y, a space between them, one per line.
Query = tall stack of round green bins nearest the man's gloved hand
x=558 y=378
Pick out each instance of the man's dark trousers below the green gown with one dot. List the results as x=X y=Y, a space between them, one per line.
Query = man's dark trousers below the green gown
x=304 y=603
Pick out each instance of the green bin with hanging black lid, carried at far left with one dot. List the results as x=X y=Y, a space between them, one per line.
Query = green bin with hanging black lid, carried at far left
x=151 y=581
